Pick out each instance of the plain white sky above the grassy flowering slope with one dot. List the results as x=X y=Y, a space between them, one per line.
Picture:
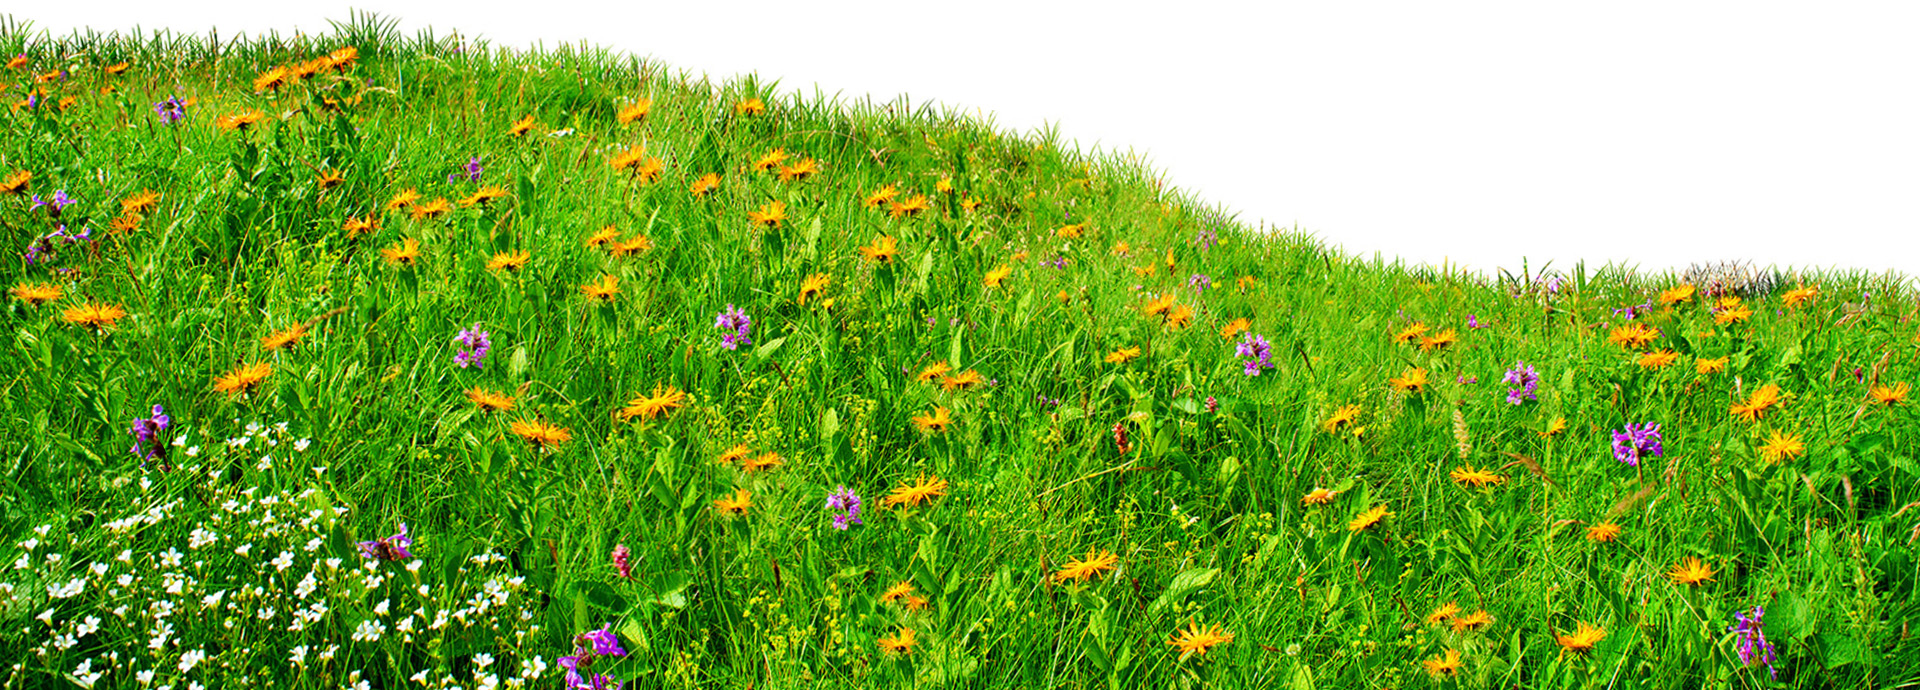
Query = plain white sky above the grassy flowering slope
x=1479 y=136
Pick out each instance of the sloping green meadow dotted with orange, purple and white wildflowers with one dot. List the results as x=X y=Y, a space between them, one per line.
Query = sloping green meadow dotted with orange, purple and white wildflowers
x=373 y=360
